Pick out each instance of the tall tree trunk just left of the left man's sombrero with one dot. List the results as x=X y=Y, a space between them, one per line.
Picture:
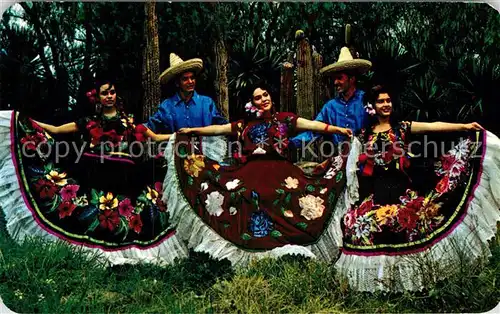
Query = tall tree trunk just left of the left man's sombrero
x=151 y=62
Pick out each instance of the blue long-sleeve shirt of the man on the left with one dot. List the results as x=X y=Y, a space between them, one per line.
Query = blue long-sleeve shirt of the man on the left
x=174 y=114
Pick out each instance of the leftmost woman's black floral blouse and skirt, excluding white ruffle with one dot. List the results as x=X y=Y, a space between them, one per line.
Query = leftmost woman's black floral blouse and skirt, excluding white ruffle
x=107 y=197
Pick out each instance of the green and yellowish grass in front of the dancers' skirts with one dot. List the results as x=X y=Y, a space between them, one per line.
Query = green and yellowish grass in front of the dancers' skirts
x=38 y=276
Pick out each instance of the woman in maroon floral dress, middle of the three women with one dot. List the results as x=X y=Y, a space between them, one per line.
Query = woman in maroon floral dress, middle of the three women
x=261 y=204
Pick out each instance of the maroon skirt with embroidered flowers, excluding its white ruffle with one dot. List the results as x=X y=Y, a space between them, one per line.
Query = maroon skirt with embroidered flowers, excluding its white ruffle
x=261 y=204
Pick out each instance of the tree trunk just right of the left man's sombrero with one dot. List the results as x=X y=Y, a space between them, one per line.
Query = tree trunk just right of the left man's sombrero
x=221 y=64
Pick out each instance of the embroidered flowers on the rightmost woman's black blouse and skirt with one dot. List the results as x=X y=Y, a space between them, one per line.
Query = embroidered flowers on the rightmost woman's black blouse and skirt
x=415 y=217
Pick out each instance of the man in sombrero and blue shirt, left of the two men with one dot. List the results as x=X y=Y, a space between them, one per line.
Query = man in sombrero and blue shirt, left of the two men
x=187 y=108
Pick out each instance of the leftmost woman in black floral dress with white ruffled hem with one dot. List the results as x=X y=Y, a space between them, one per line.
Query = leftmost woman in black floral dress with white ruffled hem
x=106 y=199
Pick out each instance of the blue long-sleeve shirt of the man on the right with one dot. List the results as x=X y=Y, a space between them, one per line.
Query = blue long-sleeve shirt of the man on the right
x=345 y=114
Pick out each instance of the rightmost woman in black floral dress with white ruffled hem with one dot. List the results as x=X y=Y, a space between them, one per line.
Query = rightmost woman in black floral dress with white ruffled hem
x=402 y=218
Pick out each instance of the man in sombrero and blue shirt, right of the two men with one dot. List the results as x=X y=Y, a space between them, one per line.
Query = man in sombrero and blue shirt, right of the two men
x=347 y=109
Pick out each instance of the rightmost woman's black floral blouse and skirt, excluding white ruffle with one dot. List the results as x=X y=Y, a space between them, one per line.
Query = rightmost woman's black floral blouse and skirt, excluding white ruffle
x=404 y=206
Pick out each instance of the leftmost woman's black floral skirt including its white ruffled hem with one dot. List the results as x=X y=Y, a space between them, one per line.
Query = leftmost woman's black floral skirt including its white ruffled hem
x=111 y=204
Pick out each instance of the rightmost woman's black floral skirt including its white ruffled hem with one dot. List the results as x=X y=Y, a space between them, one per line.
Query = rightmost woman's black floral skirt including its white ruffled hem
x=440 y=209
